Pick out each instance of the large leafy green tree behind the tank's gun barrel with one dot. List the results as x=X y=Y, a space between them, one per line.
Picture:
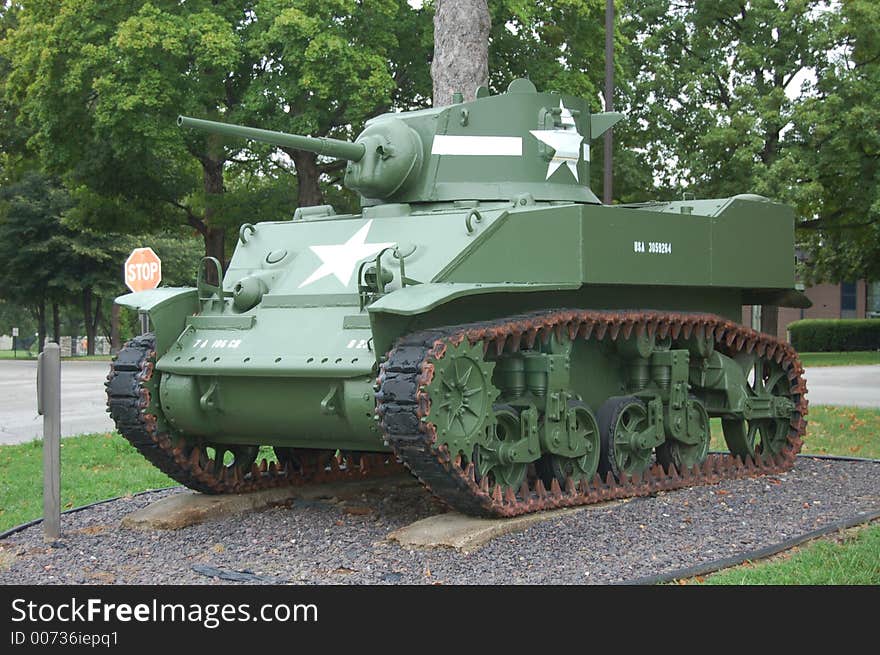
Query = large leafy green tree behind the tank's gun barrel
x=101 y=83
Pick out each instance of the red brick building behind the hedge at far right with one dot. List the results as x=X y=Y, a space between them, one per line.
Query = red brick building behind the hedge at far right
x=846 y=300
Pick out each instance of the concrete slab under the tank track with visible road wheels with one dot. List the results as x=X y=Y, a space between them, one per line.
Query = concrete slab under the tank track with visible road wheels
x=467 y=533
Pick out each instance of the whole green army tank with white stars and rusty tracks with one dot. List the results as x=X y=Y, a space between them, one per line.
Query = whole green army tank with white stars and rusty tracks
x=484 y=321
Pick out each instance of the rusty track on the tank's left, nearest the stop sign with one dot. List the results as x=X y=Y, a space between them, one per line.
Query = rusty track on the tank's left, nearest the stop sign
x=129 y=391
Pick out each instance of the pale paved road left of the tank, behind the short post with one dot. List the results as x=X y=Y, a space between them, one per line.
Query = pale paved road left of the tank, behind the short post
x=82 y=400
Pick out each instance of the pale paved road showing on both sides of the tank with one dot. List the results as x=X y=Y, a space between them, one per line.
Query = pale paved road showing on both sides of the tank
x=83 y=409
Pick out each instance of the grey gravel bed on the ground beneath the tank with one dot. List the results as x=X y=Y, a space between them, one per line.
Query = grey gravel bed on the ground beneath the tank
x=342 y=540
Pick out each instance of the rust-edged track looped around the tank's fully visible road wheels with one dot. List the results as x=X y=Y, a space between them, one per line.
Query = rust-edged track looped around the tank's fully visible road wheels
x=404 y=408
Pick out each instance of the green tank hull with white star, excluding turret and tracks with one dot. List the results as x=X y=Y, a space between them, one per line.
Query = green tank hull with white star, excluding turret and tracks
x=298 y=368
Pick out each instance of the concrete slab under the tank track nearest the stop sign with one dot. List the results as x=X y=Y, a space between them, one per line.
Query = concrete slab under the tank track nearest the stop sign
x=191 y=508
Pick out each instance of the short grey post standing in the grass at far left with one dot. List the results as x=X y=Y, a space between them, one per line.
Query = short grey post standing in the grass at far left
x=49 y=406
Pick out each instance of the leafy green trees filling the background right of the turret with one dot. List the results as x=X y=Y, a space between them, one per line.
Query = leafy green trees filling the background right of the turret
x=726 y=95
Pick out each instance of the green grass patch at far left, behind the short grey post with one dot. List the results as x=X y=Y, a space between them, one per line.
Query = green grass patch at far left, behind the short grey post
x=93 y=467
